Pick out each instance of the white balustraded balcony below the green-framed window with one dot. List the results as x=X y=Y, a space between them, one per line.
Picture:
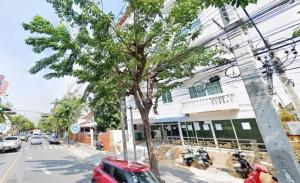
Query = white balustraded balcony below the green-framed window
x=210 y=103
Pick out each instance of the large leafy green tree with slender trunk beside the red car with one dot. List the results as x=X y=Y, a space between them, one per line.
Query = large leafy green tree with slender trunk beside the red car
x=143 y=58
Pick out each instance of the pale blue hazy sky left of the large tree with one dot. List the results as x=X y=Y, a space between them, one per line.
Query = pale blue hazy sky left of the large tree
x=29 y=92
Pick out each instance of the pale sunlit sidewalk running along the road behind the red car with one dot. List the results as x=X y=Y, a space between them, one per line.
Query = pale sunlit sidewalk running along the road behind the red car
x=170 y=172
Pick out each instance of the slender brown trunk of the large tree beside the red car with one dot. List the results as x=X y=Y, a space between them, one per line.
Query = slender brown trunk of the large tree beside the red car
x=151 y=154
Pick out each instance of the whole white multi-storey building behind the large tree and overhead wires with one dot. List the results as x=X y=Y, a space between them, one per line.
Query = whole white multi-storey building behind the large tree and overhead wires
x=212 y=107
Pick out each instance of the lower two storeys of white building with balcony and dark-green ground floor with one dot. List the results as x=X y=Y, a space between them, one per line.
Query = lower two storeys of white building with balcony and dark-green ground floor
x=215 y=113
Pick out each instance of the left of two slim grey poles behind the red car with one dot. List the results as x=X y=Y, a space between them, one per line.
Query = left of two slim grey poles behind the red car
x=122 y=121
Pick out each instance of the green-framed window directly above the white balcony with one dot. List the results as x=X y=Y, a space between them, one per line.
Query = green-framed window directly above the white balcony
x=205 y=89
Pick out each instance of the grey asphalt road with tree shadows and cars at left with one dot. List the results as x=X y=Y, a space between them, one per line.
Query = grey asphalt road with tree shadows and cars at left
x=43 y=163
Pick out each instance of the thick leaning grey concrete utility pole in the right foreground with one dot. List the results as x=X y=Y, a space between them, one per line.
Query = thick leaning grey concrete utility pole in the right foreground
x=280 y=151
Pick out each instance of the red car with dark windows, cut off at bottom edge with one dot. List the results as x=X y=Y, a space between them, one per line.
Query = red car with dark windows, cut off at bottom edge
x=112 y=170
